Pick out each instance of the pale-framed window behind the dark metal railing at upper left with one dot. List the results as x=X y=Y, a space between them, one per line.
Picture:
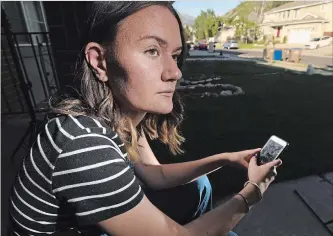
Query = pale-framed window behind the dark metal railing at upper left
x=26 y=17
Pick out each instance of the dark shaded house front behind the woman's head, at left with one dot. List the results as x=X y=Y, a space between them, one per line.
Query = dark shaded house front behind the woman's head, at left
x=47 y=41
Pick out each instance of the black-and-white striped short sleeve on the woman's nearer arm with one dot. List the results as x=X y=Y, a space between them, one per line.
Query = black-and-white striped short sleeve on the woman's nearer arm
x=93 y=179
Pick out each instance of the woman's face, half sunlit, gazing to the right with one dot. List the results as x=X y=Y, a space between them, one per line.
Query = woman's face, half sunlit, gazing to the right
x=147 y=46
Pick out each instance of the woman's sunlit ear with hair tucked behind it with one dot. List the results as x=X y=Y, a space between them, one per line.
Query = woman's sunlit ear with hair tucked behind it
x=94 y=54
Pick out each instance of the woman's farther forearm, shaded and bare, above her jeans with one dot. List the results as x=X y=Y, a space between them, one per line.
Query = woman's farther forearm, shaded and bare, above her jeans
x=172 y=175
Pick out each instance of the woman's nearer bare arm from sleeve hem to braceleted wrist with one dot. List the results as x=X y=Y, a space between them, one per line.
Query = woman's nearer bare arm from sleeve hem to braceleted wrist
x=146 y=220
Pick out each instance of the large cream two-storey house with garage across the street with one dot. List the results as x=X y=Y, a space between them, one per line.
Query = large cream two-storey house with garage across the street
x=299 y=21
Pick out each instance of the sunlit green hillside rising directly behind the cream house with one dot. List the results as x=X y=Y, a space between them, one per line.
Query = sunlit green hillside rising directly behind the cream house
x=251 y=10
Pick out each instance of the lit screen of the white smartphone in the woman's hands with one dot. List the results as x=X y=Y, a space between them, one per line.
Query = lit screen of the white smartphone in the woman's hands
x=270 y=151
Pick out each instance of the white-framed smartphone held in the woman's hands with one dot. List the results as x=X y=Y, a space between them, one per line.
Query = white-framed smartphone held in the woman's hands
x=271 y=150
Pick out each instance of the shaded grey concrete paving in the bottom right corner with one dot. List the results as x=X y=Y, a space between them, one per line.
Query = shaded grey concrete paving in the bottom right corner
x=302 y=207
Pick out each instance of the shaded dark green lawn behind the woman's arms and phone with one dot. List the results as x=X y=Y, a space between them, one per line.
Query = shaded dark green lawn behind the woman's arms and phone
x=297 y=108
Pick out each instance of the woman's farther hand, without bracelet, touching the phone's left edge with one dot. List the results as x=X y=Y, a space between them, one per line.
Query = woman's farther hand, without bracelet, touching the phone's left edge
x=242 y=158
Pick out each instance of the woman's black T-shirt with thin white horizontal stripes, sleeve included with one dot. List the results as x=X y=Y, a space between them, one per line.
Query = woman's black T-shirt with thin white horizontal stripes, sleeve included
x=77 y=174
